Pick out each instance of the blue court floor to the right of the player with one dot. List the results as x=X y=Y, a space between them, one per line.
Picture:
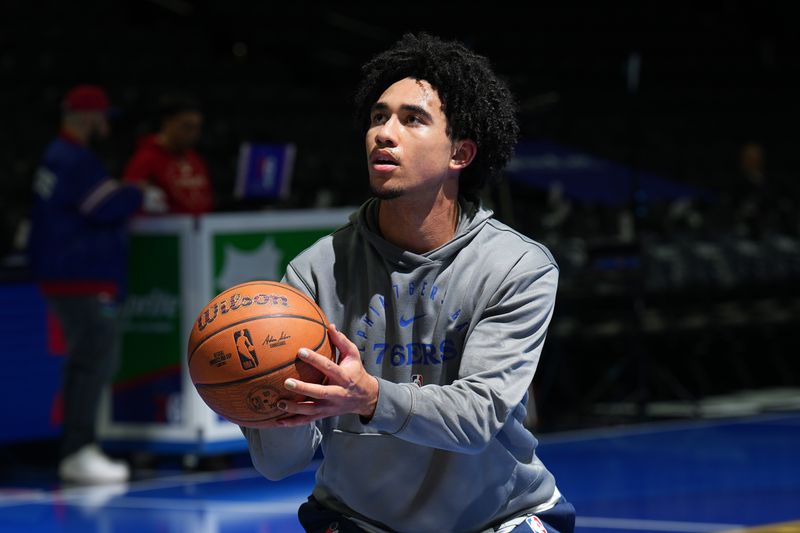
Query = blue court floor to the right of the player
x=702 y=476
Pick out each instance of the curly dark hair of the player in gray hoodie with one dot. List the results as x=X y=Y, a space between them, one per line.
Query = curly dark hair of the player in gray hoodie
x=477 y=104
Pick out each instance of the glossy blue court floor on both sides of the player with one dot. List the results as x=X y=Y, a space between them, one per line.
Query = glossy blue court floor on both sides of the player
x=722 y=475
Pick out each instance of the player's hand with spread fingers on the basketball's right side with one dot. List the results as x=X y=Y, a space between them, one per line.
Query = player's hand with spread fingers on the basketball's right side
x=349 y=388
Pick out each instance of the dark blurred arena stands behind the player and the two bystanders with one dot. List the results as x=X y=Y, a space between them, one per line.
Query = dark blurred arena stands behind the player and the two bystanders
x=658 y=158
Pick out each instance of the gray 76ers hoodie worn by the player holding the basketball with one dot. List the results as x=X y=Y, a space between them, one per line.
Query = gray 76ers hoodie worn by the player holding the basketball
x=453 y=336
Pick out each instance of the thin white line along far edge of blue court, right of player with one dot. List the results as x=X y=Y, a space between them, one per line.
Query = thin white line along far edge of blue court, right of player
x=653 y=428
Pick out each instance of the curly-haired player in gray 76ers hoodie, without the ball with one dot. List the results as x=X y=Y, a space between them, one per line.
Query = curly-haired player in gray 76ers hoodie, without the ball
x=442 y=313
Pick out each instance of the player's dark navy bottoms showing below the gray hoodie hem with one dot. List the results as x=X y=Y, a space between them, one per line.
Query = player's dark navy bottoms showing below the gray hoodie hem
x=318 y=519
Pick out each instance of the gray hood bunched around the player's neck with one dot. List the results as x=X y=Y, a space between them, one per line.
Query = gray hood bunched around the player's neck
x=472 y=218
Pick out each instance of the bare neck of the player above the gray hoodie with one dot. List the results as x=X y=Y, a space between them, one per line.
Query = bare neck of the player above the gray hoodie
x=419 y=226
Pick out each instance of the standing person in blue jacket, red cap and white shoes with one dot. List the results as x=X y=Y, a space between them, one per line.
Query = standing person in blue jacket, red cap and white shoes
x=77 y=253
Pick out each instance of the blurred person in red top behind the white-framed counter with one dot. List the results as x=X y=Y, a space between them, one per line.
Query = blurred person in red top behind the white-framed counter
x=167 y=159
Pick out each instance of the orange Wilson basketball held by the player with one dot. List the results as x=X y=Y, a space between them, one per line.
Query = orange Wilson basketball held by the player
x=244 y=344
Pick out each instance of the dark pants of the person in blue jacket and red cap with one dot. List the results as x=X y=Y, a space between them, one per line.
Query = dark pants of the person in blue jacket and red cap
x=91 y=329
